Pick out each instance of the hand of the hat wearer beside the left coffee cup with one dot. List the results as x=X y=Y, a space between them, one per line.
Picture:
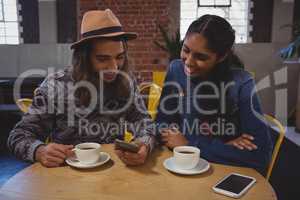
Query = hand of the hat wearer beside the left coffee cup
x=53 y=155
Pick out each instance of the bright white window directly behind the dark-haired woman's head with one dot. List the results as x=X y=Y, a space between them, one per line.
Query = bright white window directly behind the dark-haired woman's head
x=237 y=14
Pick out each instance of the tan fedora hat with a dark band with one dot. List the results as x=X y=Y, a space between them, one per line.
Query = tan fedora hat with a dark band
x=101 y=24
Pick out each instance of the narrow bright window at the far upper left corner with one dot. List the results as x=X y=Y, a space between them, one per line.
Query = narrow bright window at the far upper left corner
x=9 y=26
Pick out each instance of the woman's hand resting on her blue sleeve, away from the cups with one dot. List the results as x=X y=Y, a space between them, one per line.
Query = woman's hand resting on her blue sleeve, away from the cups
x=245 y=141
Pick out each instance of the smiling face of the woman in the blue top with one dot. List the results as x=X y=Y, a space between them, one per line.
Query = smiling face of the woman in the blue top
x=198 y=60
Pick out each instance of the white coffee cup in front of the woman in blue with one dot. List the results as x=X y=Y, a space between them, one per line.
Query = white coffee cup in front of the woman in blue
x=186 y=157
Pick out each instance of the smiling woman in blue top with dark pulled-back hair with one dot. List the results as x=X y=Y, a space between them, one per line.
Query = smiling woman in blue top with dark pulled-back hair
x=207 y=100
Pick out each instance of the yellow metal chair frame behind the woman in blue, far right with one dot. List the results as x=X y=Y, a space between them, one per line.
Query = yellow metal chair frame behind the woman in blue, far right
x=278 y=143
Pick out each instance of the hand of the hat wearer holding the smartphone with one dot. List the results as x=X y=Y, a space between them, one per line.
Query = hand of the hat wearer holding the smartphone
x=134 y=159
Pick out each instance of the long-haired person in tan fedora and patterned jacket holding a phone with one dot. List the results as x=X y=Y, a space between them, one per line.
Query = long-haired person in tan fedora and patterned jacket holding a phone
x=88 y=102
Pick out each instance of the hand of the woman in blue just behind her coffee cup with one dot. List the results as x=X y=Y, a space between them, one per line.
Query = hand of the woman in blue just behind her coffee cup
x=173 y=138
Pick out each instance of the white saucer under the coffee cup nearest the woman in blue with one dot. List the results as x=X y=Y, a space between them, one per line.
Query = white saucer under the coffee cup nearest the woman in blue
x=201 y=167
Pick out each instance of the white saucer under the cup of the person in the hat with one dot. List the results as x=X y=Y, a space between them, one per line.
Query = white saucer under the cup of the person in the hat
x=104 y=157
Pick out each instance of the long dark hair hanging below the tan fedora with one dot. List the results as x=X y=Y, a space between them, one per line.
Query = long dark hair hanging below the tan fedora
x=82 y=70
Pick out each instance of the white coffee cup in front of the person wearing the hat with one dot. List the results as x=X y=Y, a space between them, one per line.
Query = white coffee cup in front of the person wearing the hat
x=87 y=153
